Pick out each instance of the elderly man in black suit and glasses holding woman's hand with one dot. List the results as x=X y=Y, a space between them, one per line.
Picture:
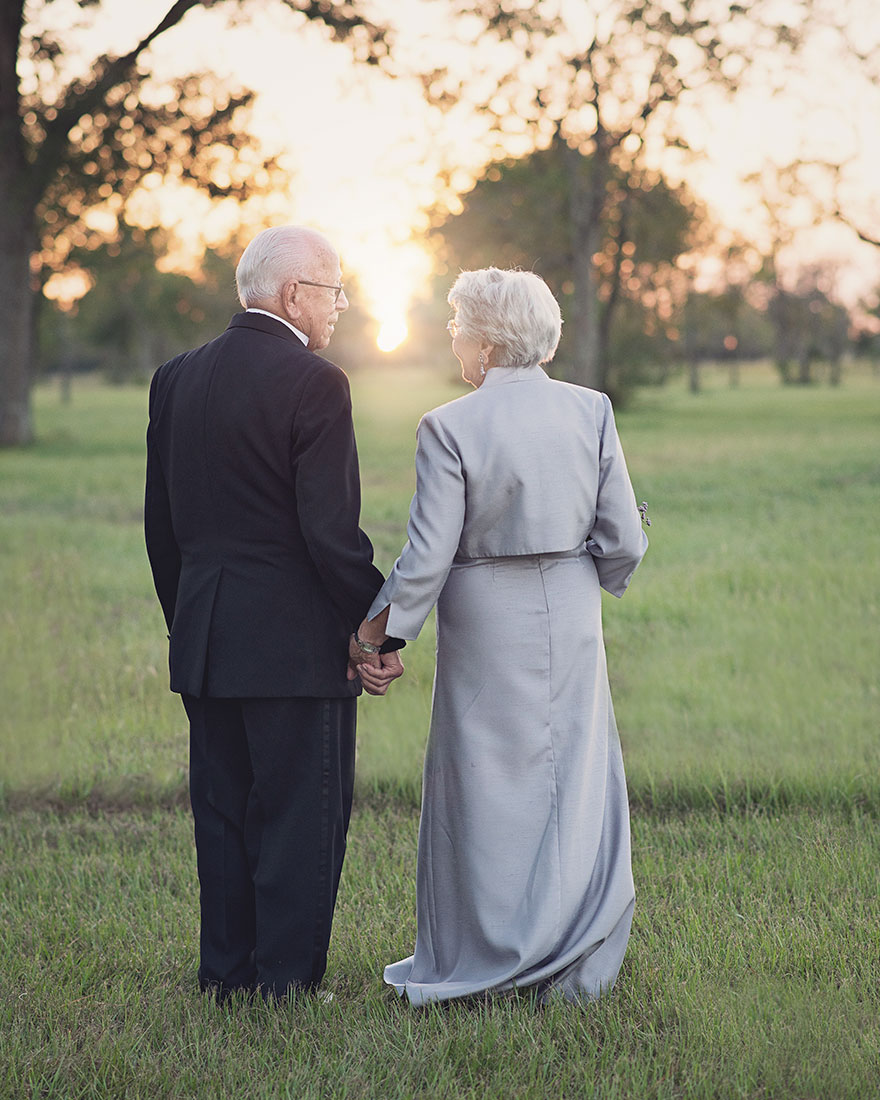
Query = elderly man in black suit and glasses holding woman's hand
x=252 y=530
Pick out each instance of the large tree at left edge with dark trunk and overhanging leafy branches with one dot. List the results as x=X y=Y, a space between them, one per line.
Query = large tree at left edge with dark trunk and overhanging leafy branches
x=69 y=149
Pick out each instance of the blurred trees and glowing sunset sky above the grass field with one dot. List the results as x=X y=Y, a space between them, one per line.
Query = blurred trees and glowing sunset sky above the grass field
x=696 y=180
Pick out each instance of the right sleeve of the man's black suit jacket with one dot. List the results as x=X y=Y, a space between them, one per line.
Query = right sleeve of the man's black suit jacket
x=328 y=494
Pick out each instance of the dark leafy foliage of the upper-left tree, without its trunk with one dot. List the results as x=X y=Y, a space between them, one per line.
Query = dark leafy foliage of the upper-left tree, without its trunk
x=95 y=141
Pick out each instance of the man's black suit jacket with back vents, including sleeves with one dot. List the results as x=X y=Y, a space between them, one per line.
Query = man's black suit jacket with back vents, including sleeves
x=252 y=516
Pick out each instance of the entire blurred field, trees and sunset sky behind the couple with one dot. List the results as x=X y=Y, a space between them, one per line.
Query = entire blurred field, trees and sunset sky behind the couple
x=696 y=180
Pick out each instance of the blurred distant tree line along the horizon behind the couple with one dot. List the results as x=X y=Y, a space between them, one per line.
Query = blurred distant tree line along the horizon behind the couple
x=654 y=320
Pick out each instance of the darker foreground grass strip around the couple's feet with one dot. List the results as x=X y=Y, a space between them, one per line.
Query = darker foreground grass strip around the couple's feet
x=754 y=971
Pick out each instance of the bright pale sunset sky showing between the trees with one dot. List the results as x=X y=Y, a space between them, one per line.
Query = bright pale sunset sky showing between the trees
x=365 y=152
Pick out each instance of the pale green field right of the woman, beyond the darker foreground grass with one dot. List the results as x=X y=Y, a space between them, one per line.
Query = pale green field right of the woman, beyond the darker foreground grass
x=747 y=650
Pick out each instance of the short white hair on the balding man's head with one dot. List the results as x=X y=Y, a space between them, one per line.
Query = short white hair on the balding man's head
x=278 y=256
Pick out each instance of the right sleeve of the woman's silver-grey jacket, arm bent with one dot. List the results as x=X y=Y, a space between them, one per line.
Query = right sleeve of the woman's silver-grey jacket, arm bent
x=618 y=542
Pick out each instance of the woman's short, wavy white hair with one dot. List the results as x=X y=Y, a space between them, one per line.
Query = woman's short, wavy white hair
x=513 y=311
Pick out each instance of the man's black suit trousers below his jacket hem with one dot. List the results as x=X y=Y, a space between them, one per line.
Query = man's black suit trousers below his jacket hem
x=271 y=788
